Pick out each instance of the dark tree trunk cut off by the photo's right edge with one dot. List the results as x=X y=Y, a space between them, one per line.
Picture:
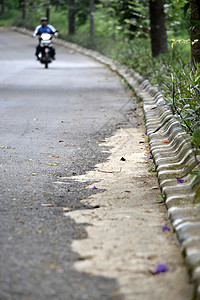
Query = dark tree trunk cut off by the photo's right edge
x=195 y=32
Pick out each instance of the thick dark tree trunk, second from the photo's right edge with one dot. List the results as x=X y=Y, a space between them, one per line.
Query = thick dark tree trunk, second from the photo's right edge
x=158 y=27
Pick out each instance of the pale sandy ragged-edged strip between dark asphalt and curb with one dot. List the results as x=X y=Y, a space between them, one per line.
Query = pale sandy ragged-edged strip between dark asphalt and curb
x=125 y=236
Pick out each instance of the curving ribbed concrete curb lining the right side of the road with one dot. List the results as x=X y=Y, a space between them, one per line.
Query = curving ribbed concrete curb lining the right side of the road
x=173 y=155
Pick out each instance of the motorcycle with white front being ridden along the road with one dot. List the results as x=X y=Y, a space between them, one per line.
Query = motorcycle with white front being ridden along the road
x=46 y=49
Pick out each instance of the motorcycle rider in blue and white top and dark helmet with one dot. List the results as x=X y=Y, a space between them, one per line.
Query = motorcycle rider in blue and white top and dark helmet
x=44 y=28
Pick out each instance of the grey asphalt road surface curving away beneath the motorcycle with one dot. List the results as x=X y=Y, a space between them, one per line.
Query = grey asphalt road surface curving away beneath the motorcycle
x=51 y=123
